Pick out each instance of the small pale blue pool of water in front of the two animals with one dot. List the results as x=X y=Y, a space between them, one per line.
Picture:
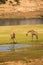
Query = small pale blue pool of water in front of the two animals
x=10 y=46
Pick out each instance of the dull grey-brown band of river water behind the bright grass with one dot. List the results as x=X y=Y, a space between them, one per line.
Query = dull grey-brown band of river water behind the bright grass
x=6 y=22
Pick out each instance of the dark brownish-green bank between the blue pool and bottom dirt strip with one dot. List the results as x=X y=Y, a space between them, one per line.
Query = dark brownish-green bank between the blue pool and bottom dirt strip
x=27 y=53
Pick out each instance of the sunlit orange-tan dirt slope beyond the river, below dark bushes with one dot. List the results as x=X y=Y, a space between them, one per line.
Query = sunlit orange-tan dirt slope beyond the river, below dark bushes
x=24 y=10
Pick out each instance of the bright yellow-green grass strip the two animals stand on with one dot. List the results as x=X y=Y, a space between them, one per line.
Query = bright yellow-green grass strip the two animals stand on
x=20 y=32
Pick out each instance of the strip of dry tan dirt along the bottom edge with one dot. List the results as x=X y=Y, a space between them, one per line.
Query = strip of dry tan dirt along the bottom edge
x=29 y=62
